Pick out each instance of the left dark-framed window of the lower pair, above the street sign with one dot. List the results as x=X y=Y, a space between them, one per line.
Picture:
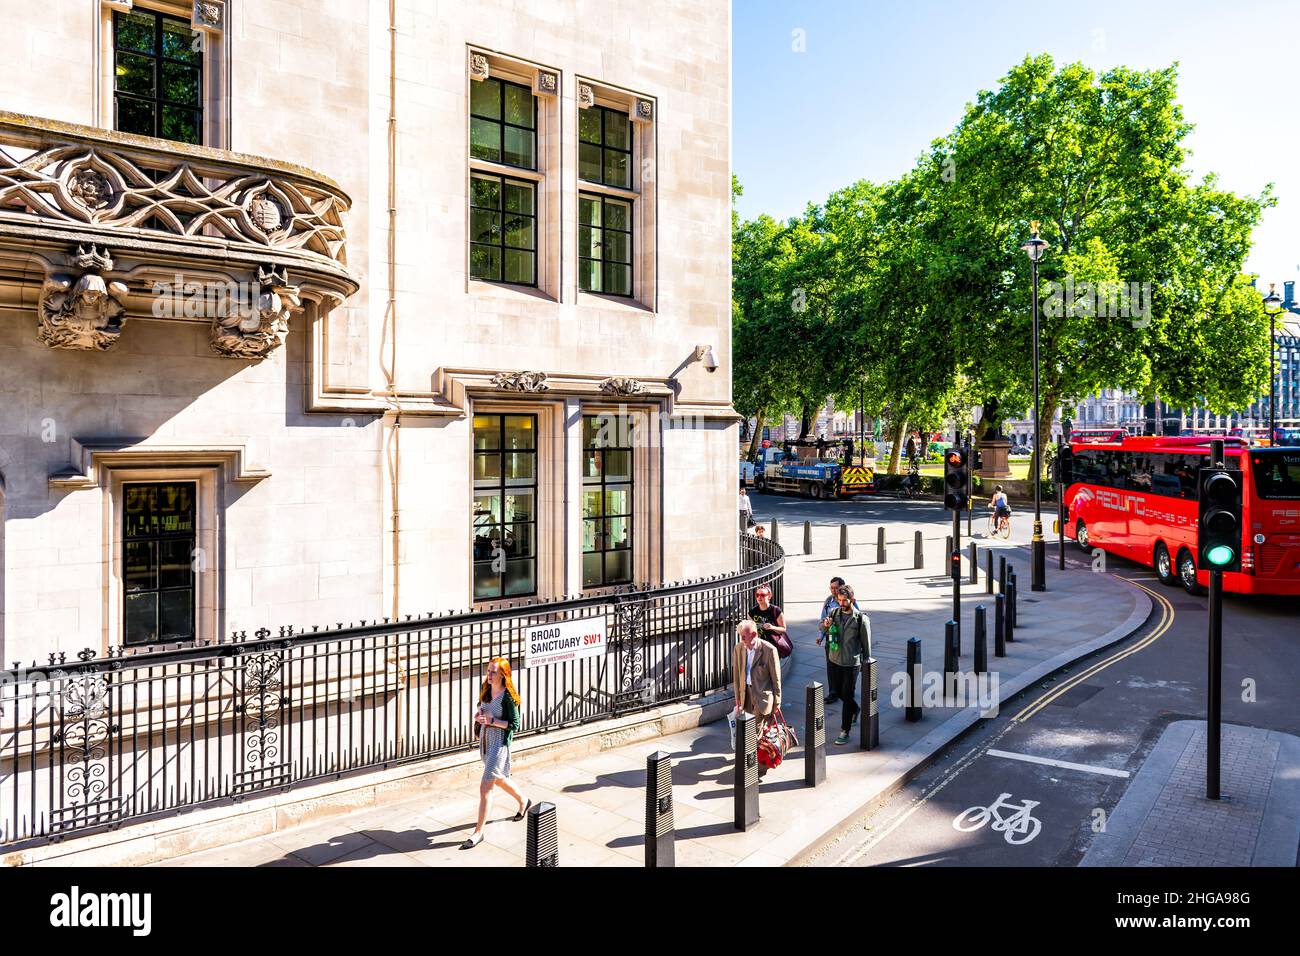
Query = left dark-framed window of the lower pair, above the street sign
x=505 y=520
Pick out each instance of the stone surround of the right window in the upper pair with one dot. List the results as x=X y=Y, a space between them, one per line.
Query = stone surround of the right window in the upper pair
x=644 y=197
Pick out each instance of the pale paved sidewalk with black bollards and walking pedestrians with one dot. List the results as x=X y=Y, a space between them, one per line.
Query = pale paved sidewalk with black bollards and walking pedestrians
x=601 y=798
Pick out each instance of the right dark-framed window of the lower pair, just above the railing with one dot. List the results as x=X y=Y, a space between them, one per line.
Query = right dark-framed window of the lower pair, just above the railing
x=606 y=500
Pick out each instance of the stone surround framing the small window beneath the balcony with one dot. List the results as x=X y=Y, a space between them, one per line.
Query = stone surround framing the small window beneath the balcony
x=207 y=537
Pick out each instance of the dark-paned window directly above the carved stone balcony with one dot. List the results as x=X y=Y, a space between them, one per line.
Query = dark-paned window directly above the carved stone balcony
x=158 y=76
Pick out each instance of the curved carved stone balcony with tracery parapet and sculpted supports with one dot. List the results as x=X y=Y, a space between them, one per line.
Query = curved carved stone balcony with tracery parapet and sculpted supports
x=102 y=228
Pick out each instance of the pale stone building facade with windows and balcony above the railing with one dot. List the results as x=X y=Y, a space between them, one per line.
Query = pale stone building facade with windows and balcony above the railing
x=324 y=313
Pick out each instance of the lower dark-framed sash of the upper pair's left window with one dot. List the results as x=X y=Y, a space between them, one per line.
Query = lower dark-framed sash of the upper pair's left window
x=504 y=230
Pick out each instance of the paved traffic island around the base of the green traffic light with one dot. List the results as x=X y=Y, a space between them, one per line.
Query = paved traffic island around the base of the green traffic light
x=1164 y=819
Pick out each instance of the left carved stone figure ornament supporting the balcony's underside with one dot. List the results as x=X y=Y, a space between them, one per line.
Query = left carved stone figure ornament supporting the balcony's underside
x=83 y=312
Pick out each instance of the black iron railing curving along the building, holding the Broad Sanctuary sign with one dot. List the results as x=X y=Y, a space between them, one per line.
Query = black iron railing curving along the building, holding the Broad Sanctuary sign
x=93 y=745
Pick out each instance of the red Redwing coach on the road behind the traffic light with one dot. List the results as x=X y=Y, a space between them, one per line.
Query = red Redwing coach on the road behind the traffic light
x=1137 y=499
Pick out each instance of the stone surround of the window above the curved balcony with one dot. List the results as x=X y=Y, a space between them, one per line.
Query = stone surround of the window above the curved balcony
x=216 y=67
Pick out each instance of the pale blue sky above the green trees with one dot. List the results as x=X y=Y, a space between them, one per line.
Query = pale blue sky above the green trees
x=887 y=79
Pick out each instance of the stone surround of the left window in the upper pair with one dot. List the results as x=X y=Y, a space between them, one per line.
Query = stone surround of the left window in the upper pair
x=548 y=178
